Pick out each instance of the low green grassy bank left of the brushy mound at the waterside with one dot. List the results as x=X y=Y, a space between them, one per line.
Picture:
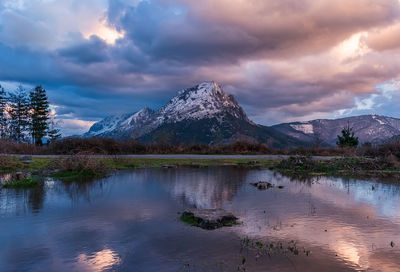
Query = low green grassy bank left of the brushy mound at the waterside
x=83 y=167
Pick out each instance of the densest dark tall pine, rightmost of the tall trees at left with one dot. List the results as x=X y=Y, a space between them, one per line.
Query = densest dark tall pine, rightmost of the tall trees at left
x=39 y=105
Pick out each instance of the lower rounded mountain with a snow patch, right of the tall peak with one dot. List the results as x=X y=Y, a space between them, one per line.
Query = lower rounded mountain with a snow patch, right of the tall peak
x=368 y=128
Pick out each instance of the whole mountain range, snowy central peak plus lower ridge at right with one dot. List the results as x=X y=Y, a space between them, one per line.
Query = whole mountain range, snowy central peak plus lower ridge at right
x=205 y=114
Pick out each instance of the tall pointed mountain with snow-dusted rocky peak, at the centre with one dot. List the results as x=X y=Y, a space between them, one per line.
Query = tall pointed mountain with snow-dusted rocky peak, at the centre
x=201 y=114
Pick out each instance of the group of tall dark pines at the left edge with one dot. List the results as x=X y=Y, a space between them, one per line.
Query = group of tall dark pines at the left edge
x=25 y=116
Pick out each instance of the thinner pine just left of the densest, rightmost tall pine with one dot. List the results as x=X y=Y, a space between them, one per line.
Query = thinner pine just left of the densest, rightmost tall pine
x=19 y=115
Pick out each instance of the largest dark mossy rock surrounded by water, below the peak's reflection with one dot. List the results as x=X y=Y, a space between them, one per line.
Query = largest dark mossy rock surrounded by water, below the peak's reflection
x=209 y=219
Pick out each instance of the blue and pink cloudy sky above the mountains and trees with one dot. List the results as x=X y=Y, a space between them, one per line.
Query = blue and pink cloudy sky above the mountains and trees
x=283 y=60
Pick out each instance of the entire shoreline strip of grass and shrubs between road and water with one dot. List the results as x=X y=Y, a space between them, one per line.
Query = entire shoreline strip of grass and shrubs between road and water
x=43 y=165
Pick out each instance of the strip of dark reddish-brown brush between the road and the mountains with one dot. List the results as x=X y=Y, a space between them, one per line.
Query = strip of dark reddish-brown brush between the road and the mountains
x=103 y=146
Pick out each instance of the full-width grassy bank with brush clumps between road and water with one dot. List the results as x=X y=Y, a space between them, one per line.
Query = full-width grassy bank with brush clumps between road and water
x=83 y=166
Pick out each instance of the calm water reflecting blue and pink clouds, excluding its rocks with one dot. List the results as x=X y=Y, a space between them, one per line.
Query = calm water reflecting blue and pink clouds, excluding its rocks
x=130 y=222
